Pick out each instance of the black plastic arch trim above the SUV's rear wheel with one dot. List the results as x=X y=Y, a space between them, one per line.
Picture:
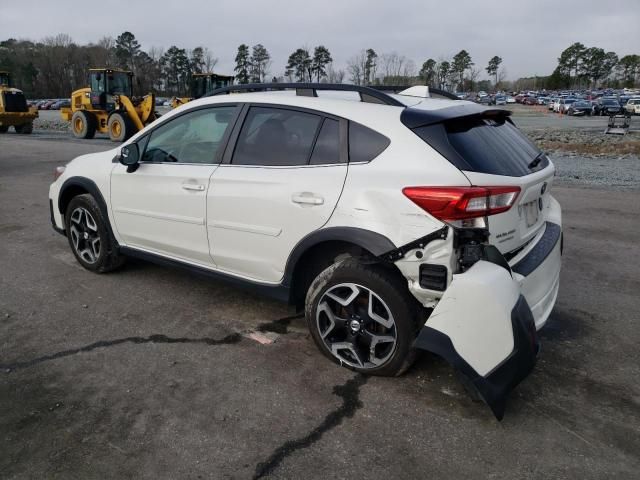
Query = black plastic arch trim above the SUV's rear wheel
x=373 y=242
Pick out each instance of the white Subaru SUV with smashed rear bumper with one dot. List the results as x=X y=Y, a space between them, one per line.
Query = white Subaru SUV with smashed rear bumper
x=398 y=222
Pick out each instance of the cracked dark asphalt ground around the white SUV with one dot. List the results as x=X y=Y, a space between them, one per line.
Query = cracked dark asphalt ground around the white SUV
x=153 y=373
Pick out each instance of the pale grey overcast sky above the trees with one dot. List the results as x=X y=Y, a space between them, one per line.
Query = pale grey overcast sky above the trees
x=528 y=35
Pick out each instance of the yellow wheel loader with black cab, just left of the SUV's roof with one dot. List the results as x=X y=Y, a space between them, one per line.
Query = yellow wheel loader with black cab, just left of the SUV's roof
x=107 y=106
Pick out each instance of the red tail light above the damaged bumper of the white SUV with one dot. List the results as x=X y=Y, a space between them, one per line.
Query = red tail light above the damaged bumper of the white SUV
x=462 y=203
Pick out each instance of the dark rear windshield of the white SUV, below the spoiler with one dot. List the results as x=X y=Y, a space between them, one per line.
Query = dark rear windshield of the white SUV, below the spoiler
x=492 y=146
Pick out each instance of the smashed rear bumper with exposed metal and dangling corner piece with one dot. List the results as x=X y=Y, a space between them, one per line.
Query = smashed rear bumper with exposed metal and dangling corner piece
x=485 y=317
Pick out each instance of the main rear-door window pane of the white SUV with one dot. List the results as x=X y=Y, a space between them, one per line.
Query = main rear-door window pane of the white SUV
x=276 y=137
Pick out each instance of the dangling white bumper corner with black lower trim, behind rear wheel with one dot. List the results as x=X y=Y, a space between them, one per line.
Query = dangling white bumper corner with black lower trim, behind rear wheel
x=485 y=329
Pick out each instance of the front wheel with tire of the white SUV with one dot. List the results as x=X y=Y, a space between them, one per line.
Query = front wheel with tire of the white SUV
x=89 y=236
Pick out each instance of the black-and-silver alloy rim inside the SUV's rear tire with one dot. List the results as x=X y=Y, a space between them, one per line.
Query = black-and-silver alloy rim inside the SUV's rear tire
x=356 y=325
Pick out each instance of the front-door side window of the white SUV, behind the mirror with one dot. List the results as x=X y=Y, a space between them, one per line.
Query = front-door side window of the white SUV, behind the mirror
x=193 y=137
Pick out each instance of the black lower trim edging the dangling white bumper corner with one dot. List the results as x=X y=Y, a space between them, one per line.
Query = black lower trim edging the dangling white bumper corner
x=496 y=385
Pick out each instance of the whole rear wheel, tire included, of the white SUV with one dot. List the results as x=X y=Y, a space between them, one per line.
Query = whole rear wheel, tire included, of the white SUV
x=352 y=305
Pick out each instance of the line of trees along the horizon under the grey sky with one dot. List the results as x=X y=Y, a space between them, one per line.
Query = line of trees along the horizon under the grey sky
x=57 y=65
